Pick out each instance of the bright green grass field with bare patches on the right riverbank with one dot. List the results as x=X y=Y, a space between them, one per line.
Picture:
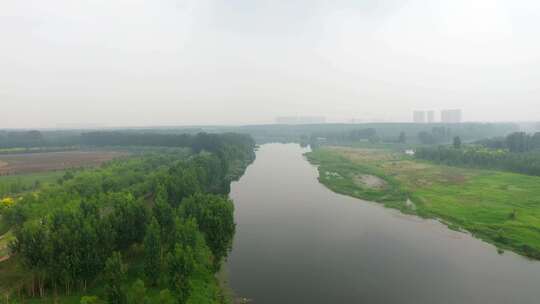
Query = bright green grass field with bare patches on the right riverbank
x=499 y=207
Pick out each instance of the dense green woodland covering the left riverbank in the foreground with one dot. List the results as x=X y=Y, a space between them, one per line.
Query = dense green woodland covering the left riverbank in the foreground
x=74 y=234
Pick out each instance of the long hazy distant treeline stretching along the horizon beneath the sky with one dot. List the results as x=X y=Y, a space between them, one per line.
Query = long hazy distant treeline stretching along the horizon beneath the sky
x=386 y=132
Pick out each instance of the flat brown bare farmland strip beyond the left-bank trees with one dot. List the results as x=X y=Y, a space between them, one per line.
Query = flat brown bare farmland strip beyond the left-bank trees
x=52 y=161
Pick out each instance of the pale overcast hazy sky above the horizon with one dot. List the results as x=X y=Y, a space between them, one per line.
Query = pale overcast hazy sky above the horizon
x=179 y=62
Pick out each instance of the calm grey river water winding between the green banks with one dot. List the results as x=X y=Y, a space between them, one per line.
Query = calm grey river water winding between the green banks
x=298 y=242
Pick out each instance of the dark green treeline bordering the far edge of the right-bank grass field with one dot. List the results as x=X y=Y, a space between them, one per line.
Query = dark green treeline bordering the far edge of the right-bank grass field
x=525 y=163
